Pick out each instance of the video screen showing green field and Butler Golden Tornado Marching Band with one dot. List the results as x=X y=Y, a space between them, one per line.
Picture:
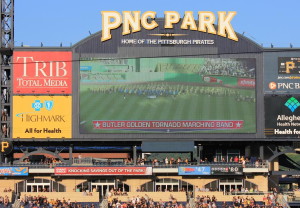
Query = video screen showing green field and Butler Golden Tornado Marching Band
x=167 y=95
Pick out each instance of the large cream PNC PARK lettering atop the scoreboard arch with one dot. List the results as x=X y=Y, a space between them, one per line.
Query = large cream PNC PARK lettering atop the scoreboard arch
x=133 y=21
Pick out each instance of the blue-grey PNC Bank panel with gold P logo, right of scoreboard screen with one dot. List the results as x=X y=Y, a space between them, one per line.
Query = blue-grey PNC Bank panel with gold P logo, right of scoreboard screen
x=284 y=78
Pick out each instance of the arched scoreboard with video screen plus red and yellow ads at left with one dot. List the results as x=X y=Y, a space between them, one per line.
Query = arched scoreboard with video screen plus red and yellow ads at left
x=135 y=87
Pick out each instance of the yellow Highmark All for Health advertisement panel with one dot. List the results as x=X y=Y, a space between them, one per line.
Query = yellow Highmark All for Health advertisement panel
x=42 y=117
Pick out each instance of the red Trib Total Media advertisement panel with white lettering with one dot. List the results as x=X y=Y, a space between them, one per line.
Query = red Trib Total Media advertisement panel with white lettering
x=42 y=72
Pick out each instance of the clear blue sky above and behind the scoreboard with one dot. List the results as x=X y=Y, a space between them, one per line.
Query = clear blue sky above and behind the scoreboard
x=69 y=21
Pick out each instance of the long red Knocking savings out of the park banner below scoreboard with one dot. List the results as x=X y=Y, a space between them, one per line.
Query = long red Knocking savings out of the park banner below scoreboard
x=103 y=171
